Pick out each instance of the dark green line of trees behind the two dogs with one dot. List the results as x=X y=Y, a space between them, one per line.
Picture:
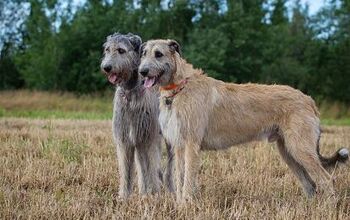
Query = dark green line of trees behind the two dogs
x=58 y=48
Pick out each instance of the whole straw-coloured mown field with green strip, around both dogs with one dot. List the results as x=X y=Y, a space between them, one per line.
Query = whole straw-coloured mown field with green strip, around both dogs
x=64 y=166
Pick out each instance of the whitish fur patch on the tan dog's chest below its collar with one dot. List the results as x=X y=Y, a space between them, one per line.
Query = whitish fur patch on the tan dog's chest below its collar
x=169 y=124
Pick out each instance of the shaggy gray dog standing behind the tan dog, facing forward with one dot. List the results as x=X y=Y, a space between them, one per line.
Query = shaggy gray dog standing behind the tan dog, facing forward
x=135 y=118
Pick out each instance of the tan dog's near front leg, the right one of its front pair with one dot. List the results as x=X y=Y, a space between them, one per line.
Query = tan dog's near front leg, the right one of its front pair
x=192 y=164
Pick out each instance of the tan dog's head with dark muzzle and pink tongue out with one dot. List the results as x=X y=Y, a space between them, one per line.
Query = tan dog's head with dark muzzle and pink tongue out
x=158 y=61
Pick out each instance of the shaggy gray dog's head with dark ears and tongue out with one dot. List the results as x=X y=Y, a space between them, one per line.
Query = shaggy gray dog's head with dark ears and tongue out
x=120 y=57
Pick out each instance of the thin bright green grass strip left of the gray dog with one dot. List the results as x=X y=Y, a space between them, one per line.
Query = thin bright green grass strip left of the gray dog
x=55 y=114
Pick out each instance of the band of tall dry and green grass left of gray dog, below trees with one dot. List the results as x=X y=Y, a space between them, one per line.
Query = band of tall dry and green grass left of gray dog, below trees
x=36 y=104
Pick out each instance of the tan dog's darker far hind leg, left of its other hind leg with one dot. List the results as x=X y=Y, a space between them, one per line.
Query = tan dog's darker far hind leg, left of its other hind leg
x=308 y=184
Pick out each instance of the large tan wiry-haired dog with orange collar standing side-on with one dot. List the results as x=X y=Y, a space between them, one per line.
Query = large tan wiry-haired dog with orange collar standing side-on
x=201 y=113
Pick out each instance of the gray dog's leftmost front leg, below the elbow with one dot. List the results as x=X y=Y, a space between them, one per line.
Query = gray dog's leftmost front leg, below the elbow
x=125 y=156
